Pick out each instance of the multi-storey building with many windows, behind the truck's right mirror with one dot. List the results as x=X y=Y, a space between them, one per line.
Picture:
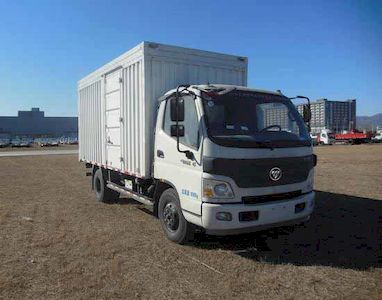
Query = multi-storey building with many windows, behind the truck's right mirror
x=338 y=116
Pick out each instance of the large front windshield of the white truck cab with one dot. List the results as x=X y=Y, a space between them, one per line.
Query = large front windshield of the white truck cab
x=249 y=119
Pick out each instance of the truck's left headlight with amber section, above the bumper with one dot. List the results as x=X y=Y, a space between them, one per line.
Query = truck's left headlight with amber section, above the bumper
x=217 y=191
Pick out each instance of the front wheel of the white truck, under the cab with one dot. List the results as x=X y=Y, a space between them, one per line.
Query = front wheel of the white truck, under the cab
x=174 y=225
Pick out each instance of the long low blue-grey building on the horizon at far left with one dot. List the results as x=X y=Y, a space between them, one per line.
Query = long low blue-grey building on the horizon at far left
x=33 y=123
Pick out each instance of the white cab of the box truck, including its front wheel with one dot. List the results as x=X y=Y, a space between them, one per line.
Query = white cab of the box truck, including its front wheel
x=234 y=160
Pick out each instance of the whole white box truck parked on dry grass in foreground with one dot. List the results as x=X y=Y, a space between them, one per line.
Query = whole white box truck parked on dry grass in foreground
x=177 y=129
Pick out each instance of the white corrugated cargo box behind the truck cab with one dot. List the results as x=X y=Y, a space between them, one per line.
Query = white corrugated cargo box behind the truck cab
x=118 y=102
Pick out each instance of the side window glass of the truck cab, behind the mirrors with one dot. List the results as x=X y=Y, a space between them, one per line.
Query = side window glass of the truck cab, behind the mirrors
x=191 y=123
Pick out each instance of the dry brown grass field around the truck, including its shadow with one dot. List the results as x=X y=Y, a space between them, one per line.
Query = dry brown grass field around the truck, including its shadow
x=57 y=242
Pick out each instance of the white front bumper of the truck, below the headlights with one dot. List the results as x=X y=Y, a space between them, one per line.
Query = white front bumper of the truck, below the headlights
x=268 y=215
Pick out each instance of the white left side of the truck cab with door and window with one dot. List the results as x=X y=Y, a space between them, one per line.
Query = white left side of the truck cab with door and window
x=173 y=166
